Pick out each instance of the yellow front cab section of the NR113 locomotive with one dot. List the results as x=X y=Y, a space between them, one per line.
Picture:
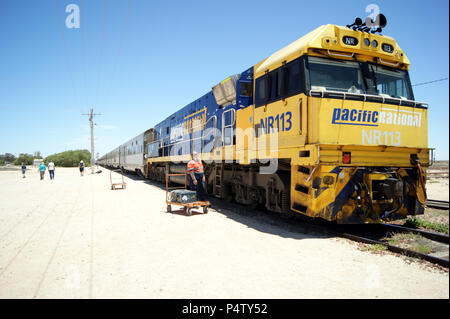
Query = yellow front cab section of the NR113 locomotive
x=358 y=138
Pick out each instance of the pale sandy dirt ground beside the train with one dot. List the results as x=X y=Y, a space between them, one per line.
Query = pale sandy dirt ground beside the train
x=73 y=237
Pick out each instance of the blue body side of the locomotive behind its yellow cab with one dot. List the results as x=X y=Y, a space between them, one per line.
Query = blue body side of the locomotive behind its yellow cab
x=193 y=127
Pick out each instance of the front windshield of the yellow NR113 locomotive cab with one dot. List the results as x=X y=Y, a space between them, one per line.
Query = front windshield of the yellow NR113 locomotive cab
x=358 y=77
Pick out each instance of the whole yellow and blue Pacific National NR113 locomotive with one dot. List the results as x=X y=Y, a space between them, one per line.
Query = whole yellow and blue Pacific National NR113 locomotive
x=327 y=127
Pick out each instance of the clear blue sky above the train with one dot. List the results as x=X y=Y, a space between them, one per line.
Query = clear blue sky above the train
x=172 y=52
